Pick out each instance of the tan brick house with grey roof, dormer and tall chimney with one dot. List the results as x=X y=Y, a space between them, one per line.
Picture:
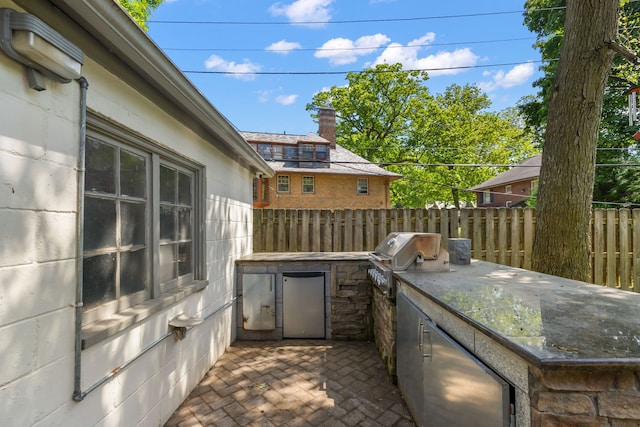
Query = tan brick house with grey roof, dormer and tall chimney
x=313 y=172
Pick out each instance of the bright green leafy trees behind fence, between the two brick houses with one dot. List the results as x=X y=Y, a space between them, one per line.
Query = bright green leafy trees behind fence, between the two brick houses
x=388 y=116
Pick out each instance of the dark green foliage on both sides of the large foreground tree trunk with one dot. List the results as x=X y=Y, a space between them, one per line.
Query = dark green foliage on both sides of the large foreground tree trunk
x=614 y=132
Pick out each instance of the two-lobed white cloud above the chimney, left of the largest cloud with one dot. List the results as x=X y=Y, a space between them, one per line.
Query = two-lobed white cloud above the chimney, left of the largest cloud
x=340 y=51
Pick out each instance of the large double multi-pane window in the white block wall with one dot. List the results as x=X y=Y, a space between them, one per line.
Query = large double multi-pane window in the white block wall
x=142 y=207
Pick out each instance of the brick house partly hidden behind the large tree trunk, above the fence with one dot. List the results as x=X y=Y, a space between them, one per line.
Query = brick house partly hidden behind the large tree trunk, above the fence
x=510 y=188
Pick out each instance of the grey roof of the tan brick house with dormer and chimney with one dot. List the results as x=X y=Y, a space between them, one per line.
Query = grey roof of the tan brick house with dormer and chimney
x=342 y=161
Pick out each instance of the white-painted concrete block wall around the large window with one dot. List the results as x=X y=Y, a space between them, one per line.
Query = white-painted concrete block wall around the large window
x=39 y=194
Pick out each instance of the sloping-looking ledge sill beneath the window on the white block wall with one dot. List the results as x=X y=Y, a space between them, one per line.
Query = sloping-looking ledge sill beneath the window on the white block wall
x=96 y=332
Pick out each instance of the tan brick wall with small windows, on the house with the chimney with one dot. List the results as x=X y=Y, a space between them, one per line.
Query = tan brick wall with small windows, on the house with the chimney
x=331 y=192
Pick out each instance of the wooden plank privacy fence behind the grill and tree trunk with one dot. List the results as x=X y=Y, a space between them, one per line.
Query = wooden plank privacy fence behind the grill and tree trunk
x=500 y=235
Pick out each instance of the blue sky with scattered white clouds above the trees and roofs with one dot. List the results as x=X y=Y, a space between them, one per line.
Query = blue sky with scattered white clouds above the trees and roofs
x=263 y=40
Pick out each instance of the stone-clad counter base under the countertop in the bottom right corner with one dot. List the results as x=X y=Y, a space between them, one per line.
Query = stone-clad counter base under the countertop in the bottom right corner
x=585 y=397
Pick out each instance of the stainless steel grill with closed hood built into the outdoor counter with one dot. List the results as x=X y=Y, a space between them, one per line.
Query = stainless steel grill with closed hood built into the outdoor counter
x=401 y=251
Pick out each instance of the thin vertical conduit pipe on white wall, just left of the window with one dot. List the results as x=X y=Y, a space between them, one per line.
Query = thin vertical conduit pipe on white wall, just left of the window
x=77 y=388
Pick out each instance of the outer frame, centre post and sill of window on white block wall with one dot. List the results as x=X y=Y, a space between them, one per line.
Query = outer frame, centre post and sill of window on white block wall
x=96 y=328
